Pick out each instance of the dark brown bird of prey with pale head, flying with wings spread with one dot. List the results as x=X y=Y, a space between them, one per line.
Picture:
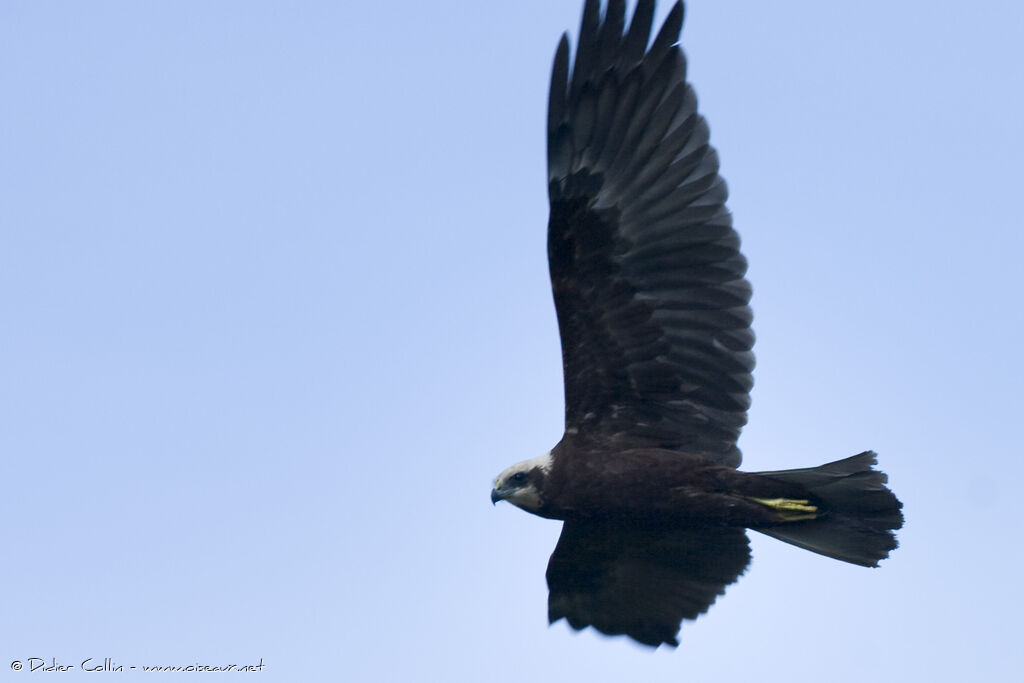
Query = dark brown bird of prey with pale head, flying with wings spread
x=655 y=321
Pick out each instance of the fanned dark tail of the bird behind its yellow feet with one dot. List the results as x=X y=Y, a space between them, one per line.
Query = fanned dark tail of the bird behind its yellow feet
x=857 y=515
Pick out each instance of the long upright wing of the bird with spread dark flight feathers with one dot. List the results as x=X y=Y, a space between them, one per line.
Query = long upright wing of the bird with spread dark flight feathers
x=646 y=267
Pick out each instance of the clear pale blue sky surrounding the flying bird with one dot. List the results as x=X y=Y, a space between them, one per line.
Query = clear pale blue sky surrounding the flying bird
x=275 y=312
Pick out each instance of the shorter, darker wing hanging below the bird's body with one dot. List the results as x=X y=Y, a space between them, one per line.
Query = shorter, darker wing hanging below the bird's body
x=623 y=579
